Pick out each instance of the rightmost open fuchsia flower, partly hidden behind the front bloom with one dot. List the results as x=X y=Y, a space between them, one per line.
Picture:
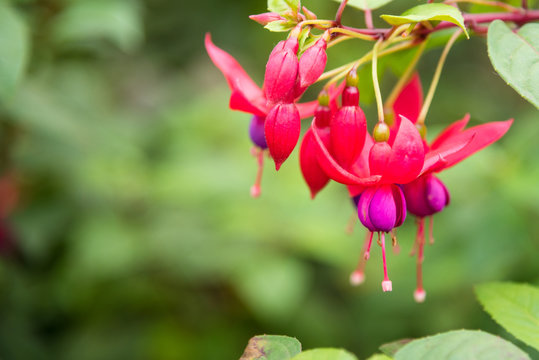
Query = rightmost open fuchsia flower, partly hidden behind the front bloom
x=428 y=195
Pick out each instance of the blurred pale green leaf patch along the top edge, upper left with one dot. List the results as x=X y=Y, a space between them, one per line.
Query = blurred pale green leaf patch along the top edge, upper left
x=118 y=21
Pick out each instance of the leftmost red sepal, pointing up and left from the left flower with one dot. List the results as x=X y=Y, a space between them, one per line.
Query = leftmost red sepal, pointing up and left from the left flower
x=246 y=95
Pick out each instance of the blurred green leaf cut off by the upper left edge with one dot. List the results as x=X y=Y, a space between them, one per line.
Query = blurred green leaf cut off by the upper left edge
x=13 y=50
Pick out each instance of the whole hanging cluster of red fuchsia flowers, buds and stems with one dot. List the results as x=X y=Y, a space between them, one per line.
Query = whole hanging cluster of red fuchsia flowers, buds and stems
x=393 y=171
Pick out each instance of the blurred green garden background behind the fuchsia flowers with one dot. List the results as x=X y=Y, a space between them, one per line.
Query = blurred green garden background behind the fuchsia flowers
x=127 y=228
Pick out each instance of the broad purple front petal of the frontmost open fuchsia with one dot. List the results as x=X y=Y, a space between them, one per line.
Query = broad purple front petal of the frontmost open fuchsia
x=382 y=209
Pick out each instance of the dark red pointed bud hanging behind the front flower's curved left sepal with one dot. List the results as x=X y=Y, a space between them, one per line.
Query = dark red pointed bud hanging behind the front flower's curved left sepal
x=313 y=174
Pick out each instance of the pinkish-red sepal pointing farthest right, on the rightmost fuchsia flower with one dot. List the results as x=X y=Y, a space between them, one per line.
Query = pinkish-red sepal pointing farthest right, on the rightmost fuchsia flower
x=481 y=137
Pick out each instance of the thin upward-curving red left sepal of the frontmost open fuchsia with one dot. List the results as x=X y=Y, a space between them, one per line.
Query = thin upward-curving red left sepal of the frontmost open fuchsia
x=334 y=170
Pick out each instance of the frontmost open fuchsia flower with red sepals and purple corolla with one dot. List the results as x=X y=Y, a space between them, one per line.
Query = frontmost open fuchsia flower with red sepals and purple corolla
x=378 y=172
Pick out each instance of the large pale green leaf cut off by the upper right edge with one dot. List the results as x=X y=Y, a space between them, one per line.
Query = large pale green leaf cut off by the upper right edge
x=516 y=57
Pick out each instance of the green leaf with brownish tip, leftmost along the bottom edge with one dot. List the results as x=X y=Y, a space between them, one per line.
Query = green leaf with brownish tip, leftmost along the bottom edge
x=271 y=347
